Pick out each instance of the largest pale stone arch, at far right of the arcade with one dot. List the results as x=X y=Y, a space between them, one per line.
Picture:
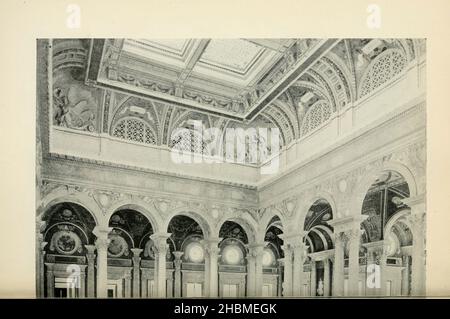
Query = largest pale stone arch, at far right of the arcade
x=360 y=191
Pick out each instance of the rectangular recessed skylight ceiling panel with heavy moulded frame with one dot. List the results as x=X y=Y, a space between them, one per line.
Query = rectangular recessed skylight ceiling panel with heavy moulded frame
x=232 y=78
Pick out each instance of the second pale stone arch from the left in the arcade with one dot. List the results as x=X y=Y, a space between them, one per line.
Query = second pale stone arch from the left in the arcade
x=139 y=206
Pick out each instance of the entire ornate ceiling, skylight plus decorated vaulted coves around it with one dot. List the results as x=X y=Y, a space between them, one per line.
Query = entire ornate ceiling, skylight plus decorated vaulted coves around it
x=143 y=90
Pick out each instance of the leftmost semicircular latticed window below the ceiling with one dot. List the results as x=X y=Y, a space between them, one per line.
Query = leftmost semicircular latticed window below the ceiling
x=134 y=129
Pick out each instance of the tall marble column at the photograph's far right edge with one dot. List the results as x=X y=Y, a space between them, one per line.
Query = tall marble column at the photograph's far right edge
x=417 y=223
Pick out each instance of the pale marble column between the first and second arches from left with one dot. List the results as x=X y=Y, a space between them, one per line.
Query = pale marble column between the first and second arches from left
x=101 y=244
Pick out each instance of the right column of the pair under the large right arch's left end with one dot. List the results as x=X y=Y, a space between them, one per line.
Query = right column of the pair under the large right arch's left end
x=353 y=236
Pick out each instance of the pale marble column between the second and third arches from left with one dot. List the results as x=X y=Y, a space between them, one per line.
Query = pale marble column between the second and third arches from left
x=160 y=248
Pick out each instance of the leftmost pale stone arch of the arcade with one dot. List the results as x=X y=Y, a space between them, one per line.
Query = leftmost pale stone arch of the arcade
x=80 y=198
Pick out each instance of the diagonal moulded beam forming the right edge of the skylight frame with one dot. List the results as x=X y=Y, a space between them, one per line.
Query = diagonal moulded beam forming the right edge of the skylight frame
x=301 y=66
